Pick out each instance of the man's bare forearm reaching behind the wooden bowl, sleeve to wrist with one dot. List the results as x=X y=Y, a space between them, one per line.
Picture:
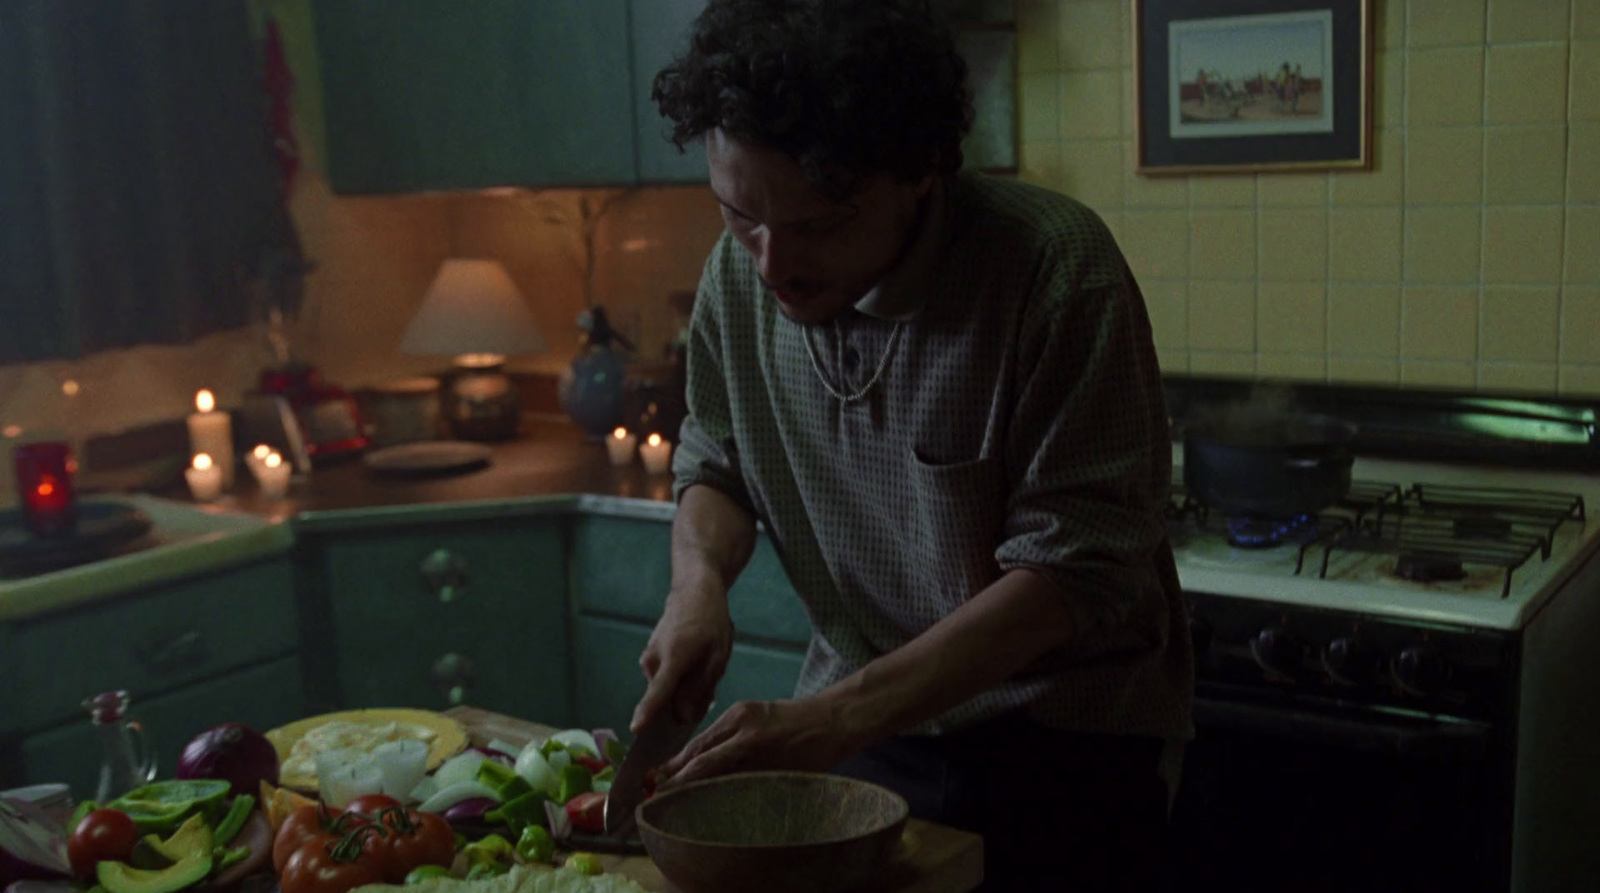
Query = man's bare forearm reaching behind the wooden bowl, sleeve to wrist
x=993 y=638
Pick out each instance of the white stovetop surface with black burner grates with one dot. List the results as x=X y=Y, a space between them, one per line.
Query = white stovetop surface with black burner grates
x=1425 y=542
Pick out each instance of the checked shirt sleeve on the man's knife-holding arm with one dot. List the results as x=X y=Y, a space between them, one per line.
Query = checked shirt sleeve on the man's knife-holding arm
x=708 y=452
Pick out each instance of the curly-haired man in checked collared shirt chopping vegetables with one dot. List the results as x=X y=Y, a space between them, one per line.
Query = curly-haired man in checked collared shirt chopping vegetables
x=940 y=396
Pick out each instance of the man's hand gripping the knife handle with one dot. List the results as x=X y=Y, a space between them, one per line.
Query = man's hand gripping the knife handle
x=686 y=657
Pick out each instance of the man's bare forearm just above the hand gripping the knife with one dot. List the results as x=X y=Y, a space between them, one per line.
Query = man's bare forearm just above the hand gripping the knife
x=713 y=540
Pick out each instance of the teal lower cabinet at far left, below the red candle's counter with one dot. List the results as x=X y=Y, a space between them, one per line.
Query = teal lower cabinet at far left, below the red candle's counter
x=193 y=654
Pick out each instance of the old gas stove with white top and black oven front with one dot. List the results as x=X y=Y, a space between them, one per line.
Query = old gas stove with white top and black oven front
x=1396 y=692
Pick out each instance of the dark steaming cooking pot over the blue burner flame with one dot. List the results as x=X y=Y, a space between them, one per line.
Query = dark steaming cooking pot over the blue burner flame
x=1273 y=468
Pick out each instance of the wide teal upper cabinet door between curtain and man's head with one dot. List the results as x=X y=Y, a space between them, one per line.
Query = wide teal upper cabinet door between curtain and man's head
x=449 y=95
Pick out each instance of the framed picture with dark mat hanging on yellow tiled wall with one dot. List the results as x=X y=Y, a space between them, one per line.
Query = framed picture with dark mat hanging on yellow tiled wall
x=1254 y=86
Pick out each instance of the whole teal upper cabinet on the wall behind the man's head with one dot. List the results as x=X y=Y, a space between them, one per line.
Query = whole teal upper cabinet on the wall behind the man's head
x=447 y=95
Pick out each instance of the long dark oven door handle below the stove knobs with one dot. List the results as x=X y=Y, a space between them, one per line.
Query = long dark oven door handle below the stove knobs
x=1366 y=734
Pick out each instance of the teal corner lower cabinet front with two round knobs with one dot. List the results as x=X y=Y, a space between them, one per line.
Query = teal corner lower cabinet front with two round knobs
x=439 y=614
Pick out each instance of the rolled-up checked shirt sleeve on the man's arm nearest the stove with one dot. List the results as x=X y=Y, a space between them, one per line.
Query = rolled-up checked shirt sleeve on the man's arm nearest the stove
x=1089 y=451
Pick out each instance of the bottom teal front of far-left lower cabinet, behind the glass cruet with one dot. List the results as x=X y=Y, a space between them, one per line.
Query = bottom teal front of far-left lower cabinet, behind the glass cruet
x=263 y=697
